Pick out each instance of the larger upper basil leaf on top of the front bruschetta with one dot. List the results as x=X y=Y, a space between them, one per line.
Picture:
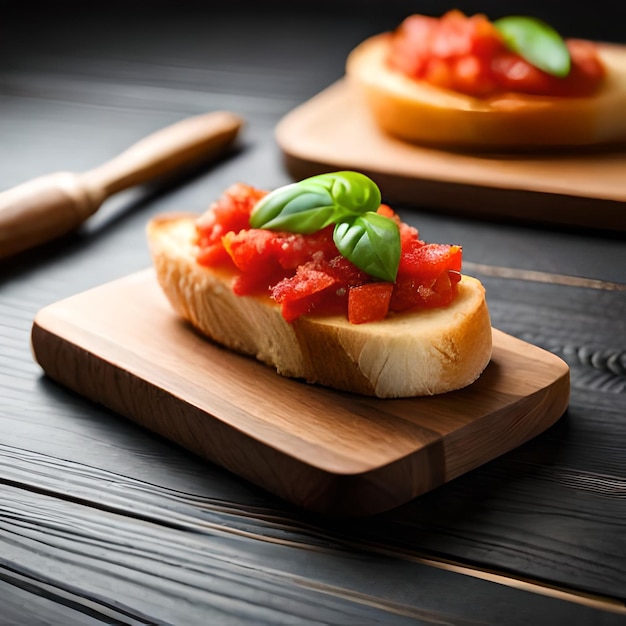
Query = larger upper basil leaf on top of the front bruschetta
x=314 y=203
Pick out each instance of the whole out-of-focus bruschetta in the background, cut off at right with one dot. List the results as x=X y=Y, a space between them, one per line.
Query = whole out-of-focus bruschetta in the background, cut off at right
x=460 y=82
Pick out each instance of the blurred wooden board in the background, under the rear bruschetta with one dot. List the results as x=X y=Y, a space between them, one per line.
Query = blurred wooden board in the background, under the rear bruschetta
x=334 y=131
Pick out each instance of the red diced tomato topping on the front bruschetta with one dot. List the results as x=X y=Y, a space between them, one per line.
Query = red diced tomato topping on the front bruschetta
x=305 y=274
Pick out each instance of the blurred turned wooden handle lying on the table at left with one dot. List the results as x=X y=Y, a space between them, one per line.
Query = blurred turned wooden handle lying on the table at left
x=50 y=206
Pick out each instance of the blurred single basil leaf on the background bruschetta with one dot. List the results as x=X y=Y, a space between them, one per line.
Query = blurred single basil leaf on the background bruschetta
x=536 y=42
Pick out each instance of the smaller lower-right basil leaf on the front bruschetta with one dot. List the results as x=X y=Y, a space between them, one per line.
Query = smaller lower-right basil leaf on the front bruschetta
x=372 y=242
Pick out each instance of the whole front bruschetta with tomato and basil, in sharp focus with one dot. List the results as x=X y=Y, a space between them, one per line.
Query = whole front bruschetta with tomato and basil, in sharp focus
x=293 y=301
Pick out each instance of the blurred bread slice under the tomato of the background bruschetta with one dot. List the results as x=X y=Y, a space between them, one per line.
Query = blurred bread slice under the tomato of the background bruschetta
x=421 y=113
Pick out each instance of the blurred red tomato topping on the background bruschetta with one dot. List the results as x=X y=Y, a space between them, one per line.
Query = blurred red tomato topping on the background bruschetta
x=468 y=55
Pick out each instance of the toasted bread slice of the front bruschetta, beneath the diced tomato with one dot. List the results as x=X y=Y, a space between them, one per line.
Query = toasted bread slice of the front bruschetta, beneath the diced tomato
x=418 y=353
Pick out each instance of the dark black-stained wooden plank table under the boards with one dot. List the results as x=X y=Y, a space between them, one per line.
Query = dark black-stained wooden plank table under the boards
x=103 y=522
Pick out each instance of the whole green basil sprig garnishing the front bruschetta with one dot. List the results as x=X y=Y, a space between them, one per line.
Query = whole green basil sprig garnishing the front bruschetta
x=347 y=199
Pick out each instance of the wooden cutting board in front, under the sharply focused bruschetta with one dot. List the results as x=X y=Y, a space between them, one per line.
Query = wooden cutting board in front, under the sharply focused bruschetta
x=121 y=345
